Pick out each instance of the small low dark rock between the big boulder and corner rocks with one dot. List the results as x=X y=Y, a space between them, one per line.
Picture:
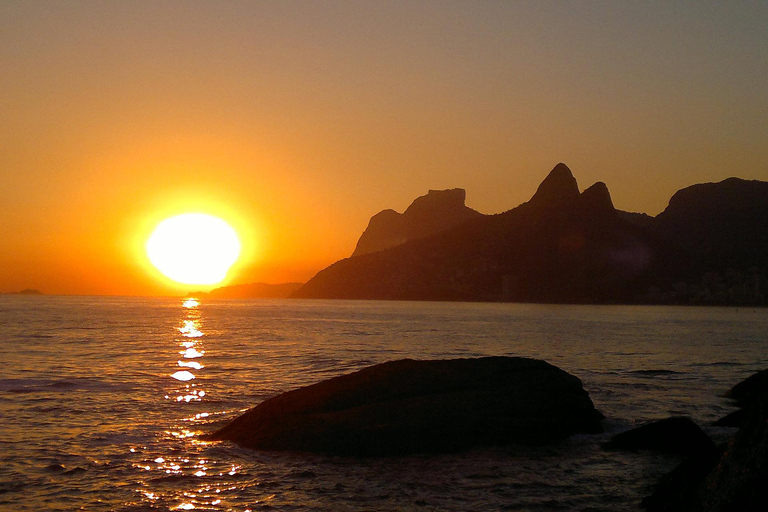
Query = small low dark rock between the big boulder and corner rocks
x=675 y=435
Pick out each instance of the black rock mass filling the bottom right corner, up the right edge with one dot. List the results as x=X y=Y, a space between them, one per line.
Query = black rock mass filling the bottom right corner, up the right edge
x=734 y=478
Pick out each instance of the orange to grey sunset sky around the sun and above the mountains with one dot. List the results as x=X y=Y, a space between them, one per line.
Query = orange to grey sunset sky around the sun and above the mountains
x=297 y=121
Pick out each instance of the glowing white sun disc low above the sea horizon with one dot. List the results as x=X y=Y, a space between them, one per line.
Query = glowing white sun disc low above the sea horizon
x=193 y=248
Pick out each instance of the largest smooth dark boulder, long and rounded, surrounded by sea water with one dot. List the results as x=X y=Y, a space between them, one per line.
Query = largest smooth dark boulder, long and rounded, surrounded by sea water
x=410 y=406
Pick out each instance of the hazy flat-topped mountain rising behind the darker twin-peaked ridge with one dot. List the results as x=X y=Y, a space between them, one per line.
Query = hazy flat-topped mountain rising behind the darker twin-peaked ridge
x=437 y=211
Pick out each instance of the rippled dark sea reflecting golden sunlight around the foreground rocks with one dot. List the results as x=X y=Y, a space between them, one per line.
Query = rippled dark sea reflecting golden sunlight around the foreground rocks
x=96 y=412
